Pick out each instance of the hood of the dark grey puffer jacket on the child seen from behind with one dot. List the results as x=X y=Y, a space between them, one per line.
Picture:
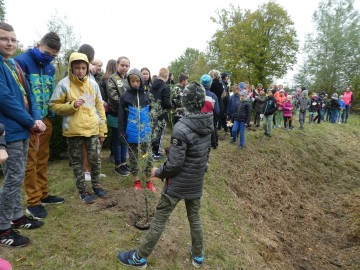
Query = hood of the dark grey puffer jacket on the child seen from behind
x=201 y=124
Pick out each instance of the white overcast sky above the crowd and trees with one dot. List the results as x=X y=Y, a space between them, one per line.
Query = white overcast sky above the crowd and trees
x=151 y=33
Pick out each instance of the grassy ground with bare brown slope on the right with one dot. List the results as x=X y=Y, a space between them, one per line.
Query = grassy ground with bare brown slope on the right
x=287 y=202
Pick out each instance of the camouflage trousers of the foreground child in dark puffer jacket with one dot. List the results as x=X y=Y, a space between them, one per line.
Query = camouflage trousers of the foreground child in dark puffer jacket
x=163 y=211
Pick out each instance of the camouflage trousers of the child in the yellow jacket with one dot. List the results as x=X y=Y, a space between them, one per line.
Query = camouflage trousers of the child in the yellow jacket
x=93 y=149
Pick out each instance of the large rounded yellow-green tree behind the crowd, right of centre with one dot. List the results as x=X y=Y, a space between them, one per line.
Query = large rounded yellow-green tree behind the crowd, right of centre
x=256 y=46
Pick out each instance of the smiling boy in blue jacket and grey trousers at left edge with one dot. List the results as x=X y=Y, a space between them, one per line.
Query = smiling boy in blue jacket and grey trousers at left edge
x=19 y=115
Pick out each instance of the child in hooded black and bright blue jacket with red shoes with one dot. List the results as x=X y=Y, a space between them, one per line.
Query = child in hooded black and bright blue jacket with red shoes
x=134 y=126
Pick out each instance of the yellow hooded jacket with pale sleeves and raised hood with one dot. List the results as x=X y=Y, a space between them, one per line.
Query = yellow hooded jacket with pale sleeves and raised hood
x=88 y=119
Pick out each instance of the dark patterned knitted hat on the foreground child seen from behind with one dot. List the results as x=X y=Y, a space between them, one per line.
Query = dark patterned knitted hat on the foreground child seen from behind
x=193 y=97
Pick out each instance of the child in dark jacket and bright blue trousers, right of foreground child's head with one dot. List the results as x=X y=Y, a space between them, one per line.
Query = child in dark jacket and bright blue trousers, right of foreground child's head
x=241 y=119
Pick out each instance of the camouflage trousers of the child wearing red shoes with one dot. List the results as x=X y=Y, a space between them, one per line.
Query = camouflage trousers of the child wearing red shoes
x=140 y=159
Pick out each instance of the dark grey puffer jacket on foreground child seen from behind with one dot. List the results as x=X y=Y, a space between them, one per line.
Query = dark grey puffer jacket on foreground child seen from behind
x=186 y=164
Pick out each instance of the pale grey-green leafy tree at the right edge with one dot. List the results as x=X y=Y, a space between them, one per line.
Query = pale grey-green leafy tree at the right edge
x=332 y=58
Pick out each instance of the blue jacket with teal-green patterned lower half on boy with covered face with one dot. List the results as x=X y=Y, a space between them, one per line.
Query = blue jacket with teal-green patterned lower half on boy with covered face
x=41 y=79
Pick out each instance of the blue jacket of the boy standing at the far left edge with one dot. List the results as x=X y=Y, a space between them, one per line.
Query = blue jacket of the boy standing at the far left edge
x=13 y=113
